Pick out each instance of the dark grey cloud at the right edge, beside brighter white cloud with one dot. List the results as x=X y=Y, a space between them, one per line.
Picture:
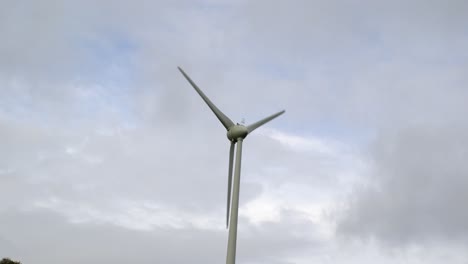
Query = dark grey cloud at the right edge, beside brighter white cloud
x=419 y=184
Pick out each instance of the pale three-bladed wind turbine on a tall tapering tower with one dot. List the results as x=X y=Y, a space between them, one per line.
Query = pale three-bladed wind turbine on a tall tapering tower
x=236 y=133
